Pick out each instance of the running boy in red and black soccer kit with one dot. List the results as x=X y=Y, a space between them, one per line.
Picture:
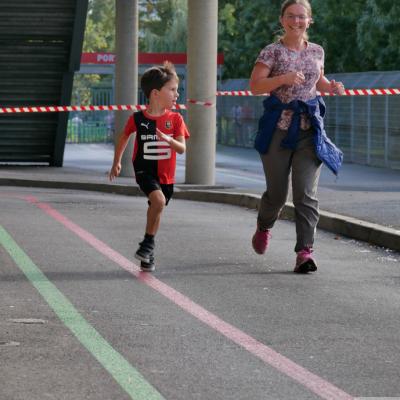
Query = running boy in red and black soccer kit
x=160 y=134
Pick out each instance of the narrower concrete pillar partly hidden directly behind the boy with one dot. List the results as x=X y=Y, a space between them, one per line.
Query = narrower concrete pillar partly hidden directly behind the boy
x=126 y=70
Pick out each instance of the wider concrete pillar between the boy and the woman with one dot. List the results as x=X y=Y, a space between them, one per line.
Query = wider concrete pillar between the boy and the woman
x=202 y=85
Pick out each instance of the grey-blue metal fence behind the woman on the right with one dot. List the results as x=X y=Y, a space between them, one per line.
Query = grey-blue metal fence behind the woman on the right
x=366 y=128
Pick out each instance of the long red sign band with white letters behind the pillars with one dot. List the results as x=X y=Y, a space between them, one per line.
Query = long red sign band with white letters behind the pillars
x=144 y=58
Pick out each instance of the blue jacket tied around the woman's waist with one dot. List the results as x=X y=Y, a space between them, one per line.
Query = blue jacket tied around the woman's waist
x=325 y=150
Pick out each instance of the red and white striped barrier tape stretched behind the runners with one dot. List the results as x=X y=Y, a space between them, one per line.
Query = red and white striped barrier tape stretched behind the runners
x=45 y=109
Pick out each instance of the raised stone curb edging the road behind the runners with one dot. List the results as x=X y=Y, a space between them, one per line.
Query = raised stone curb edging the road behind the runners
x=342 y=225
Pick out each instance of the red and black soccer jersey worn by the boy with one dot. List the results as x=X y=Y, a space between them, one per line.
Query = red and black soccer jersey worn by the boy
x=150 y=155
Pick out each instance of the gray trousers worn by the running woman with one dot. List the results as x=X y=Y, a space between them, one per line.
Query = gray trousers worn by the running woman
x=304 y=167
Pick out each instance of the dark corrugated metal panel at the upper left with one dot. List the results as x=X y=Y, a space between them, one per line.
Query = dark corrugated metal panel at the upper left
x=36 y=39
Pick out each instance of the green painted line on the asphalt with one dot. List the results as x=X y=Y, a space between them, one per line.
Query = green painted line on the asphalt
x=119 y=368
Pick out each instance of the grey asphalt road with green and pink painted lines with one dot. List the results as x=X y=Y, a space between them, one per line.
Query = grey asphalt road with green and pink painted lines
x=215 y=321
